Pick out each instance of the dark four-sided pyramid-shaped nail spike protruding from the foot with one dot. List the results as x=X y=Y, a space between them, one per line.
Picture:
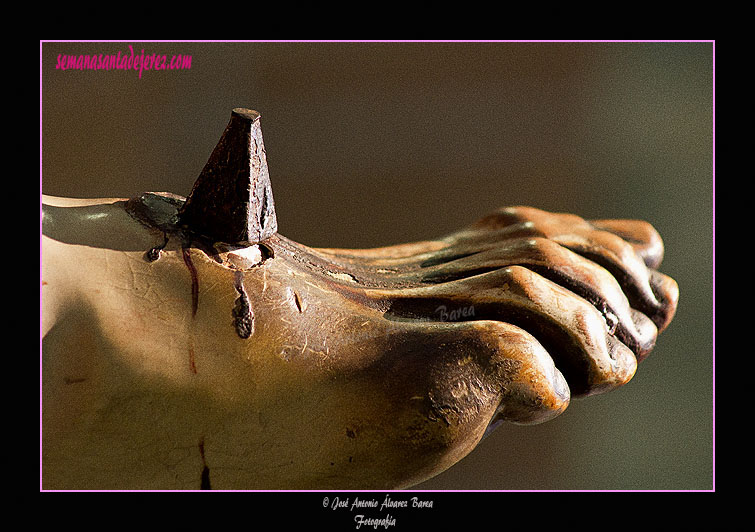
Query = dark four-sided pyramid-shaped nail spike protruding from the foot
x=232 y=199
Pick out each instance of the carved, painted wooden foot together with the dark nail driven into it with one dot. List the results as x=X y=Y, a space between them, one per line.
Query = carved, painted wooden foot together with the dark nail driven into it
x=188 y=343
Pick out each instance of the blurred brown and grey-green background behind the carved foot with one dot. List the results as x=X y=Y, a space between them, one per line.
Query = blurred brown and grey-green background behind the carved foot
x=370 y=144
